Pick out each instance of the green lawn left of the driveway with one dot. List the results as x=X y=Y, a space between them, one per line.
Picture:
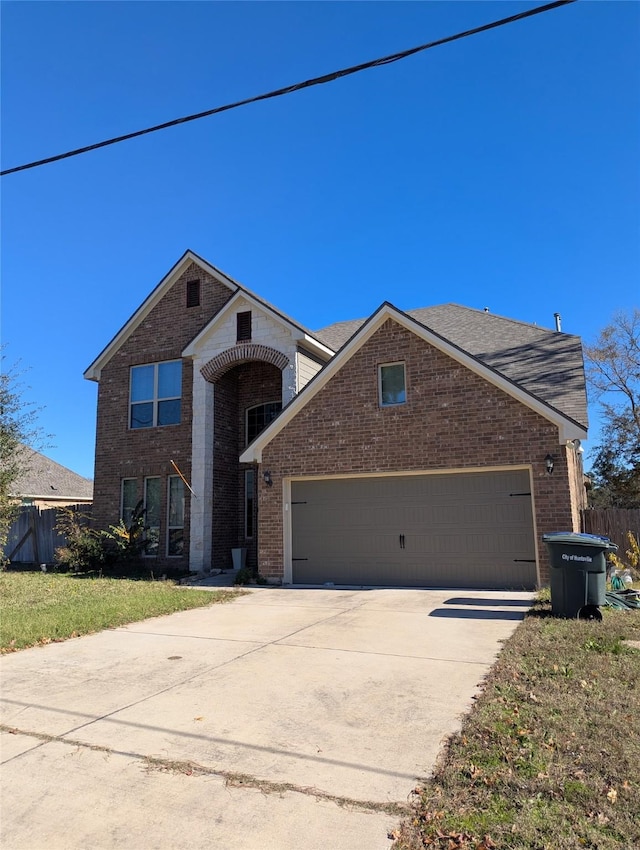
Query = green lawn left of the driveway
x=38 y=608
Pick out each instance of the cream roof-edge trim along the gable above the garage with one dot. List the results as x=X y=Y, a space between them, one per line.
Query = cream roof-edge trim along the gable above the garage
x=569 y=428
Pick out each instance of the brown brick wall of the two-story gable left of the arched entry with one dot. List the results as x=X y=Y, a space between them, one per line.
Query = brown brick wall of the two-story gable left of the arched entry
x=124 y=453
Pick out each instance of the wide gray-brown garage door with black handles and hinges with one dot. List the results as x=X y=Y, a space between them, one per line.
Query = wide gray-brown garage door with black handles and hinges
x=461 y=530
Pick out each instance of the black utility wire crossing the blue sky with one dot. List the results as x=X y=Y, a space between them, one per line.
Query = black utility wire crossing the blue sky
x=315 y=81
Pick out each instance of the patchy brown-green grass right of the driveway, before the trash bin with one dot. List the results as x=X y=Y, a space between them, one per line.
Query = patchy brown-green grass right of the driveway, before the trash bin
x=549 y=755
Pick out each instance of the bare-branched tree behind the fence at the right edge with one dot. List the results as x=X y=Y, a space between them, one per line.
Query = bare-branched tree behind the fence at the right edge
x=613 y=372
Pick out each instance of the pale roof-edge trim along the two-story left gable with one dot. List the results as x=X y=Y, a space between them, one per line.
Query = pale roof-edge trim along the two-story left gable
x=92 y=373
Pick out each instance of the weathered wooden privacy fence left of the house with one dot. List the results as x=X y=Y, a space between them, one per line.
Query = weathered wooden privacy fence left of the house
x=33 y=538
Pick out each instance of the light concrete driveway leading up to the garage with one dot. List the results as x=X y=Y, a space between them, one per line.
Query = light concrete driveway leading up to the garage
x=290 y=718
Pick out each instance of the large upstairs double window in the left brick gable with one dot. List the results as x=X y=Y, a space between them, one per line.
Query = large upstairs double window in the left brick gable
x=156 y=390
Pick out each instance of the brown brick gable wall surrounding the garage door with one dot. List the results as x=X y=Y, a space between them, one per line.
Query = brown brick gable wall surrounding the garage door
x=452 y=419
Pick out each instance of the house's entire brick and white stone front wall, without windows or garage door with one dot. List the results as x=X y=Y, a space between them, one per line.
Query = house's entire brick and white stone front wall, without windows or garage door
x=453 y=419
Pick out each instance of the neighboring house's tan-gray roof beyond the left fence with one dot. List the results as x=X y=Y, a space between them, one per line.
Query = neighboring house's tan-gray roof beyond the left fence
x=46 y=479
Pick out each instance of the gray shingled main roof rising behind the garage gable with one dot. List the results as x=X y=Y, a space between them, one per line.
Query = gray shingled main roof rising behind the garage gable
x=546 y=363
